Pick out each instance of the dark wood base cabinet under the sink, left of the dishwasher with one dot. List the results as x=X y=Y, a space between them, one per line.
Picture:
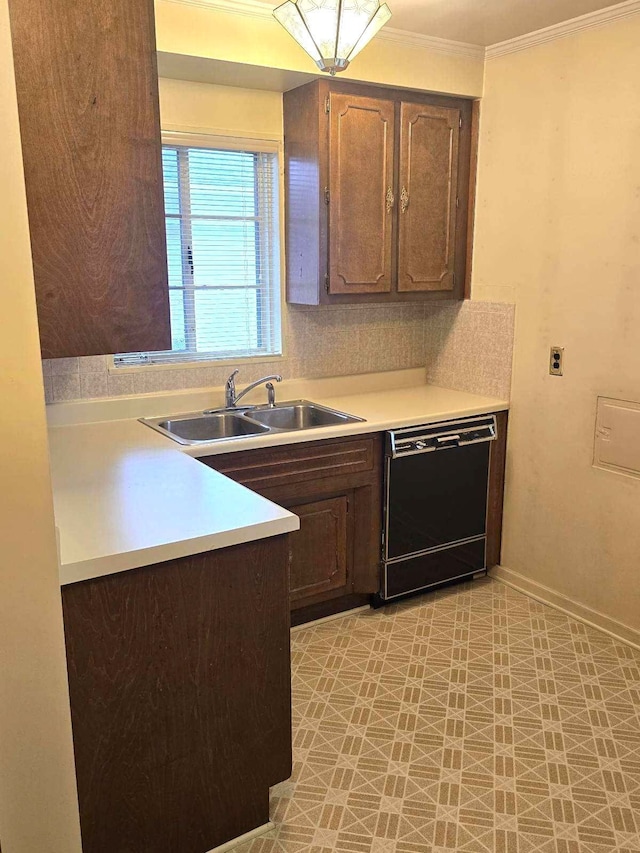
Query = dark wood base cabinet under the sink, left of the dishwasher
x=335 y=487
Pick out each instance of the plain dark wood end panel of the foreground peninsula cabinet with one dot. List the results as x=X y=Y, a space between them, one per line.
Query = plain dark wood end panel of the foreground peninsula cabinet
x=179 y=676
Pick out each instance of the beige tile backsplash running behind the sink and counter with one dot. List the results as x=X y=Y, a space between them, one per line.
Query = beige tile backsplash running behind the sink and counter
x=463 y=345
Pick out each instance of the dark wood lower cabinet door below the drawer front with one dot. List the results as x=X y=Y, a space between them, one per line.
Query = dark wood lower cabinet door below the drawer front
x=319 y=553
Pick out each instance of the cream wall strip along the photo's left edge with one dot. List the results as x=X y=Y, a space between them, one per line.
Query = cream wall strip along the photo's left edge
x=38 y=805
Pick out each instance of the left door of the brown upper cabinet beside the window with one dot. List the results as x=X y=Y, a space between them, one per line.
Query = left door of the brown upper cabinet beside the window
x=361 y=154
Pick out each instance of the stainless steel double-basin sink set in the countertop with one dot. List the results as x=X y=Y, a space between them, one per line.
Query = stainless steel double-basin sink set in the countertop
x=248 y=421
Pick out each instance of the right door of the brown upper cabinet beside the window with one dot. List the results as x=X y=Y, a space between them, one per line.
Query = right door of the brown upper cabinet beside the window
x=428 y=189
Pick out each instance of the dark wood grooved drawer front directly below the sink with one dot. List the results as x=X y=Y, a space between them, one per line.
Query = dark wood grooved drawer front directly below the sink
x=299 y=463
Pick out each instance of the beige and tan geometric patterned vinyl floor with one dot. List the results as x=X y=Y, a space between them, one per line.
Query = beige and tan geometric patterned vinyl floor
x=470 y=719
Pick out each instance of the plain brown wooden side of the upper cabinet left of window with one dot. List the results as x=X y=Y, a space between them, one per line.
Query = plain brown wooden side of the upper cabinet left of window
x=89 y=117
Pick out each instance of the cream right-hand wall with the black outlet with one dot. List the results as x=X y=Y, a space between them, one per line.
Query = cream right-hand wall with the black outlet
x=558 y=231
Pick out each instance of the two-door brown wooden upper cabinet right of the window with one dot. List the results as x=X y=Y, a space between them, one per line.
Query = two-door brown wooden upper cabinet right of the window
x=378 y=187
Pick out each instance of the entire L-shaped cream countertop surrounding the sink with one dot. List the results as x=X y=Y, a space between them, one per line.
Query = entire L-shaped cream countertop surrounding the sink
x=126 y=496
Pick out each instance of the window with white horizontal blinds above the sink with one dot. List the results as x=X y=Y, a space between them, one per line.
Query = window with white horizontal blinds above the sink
x=221 y=209
